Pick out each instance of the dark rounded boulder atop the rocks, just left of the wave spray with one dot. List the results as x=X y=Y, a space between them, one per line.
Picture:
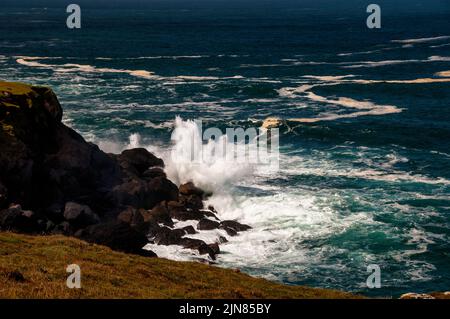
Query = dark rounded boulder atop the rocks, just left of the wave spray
x=138 y=160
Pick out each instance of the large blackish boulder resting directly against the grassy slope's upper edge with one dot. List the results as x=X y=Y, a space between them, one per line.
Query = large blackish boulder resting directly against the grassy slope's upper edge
x=116 y=235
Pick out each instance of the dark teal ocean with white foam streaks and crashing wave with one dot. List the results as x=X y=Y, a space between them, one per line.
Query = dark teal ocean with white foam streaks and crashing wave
x=364 y=171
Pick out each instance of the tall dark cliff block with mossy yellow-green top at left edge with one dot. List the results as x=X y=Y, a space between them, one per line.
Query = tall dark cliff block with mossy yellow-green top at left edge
x=41 y=160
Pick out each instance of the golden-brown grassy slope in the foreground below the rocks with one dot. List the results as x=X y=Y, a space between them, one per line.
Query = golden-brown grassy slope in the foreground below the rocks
x=107 y=274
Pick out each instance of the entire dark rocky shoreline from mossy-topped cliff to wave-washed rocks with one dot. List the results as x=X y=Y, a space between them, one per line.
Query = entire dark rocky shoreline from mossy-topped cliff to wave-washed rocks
x=54 y=182
